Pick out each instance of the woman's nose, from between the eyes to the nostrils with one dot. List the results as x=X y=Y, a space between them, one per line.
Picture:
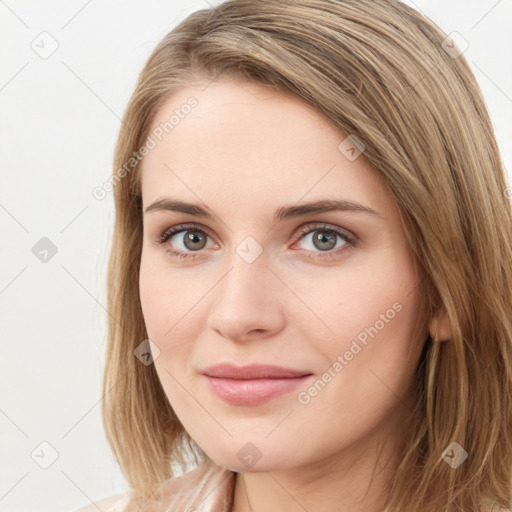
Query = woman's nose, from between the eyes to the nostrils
x=248 y=303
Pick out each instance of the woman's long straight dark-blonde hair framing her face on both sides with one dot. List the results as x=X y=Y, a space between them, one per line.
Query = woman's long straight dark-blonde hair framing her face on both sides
x=382 y=72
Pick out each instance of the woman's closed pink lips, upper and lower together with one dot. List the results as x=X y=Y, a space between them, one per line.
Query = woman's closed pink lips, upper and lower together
x=254 y=384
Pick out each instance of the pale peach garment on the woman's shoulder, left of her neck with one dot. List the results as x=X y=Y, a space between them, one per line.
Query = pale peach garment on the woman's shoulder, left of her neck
x=208 y=486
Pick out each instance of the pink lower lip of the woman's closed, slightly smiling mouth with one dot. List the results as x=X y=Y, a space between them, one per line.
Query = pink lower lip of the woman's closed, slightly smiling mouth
x=252 y=391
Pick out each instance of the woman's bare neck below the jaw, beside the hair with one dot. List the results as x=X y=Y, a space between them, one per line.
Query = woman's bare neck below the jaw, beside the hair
x=351 y=480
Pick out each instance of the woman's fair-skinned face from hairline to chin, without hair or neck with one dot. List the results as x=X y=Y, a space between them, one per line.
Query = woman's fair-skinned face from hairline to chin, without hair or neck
x=258 y=278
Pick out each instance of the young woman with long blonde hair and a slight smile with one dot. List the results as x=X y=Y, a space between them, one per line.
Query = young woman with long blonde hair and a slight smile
x=310 y=282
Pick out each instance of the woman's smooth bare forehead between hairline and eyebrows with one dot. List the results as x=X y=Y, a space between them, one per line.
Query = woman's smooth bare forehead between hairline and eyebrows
x=247 y=140
